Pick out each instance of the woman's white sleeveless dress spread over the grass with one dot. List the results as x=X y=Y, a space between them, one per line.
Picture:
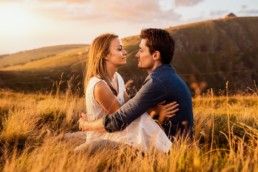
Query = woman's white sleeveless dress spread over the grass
x=142 y=133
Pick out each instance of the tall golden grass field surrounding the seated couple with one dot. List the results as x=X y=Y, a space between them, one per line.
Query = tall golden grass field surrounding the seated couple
x=32 y=128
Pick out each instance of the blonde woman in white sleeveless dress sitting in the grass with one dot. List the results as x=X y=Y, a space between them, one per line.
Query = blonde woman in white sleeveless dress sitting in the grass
x=105 y=93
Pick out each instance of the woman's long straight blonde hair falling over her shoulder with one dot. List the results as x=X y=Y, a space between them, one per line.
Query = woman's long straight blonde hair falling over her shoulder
x=99 y=49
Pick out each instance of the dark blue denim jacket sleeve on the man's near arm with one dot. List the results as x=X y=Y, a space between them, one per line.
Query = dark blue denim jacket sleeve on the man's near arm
x=151 y=93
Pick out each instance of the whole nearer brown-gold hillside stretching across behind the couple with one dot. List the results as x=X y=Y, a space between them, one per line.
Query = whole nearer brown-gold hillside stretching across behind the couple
x=207 y=55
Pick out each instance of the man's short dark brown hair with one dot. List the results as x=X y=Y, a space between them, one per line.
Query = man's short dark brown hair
x=159 y=40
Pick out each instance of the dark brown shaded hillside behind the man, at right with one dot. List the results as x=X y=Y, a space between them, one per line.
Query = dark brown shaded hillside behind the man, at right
x=210 y=53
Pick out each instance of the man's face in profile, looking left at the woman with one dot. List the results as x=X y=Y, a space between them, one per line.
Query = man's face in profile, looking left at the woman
x=145 y=59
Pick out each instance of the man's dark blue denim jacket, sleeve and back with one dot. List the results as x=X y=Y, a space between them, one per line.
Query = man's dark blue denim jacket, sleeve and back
x=162 y=84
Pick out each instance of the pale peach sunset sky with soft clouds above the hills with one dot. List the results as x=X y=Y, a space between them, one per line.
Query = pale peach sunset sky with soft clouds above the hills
x=30 y=24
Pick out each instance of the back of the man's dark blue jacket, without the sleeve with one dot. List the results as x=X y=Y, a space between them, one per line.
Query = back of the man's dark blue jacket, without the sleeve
x=175 y=89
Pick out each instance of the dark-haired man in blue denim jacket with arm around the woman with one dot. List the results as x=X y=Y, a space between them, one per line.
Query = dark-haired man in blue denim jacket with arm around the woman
x=162 y=84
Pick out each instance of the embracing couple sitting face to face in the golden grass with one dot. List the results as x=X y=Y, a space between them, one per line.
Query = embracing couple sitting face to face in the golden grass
x=112 y=116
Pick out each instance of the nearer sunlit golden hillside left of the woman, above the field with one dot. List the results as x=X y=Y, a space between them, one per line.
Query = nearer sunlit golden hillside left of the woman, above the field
x=44 y=74
